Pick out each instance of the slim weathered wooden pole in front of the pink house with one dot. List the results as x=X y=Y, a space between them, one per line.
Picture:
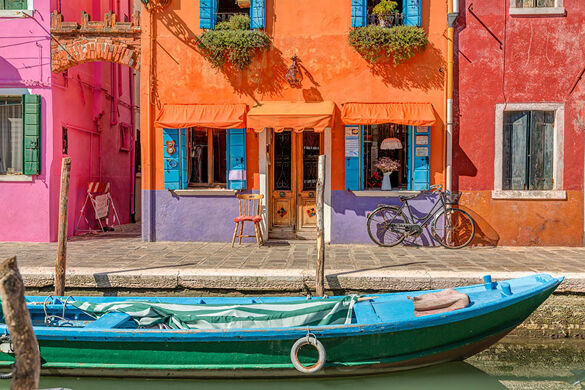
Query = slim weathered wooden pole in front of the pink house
x=62 y=245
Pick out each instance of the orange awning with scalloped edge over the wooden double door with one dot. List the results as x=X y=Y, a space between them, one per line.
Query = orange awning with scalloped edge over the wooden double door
x=296 y=116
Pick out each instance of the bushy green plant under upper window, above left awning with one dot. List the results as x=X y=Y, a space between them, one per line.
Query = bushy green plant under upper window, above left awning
x=233 y=42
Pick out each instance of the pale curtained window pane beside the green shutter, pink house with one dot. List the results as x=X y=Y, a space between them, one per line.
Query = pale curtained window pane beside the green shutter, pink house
x=10 y=137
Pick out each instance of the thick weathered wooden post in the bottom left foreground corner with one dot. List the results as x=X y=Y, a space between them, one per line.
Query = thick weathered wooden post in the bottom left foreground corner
x=27 y=361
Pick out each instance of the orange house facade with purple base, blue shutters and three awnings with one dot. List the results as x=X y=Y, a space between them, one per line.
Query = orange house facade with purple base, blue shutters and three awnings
x=208 y=134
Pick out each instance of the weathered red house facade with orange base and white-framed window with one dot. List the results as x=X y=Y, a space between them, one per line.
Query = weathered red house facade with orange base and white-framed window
x=518 y=142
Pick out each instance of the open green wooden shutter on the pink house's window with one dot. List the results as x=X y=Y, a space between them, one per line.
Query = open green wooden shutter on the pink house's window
x=31 y=124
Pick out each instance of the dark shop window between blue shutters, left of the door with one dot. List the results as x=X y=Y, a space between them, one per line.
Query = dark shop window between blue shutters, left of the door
x=207 y=157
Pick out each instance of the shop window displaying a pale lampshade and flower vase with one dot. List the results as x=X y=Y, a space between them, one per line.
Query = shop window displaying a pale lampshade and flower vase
x=385 y=148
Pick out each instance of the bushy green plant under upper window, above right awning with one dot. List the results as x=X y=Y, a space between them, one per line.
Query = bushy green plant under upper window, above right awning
x=399 y=43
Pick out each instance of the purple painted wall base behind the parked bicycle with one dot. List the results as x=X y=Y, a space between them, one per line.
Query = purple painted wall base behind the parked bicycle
x=350 y=213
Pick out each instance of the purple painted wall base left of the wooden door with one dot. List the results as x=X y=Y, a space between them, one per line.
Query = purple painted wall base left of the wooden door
x=191 y=218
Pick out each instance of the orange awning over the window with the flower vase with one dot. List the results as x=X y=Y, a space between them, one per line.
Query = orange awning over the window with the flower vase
x=411 y=114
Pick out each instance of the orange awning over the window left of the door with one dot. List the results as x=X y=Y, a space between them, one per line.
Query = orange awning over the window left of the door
x=219 y=116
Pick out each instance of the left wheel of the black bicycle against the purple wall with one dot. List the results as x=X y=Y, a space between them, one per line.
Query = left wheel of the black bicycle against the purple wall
x=380 y=222
